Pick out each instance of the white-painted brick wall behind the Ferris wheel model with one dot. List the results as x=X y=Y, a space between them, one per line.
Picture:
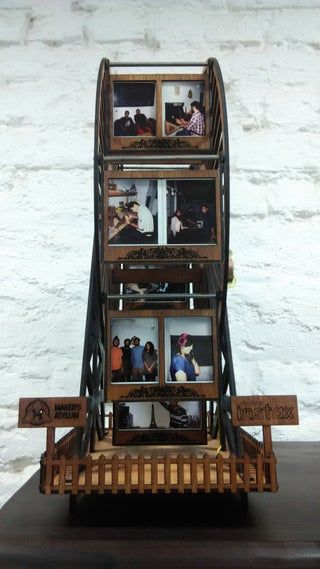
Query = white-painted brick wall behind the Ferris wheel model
x=269 y=52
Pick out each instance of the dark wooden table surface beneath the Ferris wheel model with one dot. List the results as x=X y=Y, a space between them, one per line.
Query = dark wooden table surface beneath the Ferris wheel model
x=206 y=531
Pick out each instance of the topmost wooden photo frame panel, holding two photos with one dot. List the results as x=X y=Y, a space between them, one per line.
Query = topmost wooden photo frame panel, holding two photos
x=145 y=131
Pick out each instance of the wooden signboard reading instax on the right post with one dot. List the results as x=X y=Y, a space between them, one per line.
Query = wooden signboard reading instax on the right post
x=265 y=410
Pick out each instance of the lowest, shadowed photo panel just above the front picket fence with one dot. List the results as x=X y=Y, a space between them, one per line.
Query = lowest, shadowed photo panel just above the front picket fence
x=159 y=423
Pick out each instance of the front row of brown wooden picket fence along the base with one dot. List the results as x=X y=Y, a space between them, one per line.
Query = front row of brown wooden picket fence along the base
x=158 y=474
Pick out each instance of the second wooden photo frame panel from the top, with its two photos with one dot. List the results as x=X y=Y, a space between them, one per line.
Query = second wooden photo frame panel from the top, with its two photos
x=140 y=217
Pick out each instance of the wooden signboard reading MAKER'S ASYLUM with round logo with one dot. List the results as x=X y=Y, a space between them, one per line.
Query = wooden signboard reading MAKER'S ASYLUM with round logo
x=52 y=412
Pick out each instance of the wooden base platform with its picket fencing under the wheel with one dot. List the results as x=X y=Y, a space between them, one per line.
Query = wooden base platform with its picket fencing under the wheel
x=156 y=469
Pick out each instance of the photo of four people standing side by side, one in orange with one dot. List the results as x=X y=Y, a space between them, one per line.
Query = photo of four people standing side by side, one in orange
x=134 y=359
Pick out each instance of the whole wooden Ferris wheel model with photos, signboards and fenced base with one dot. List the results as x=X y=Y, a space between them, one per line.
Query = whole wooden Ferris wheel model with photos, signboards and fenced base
x=157 y=342
